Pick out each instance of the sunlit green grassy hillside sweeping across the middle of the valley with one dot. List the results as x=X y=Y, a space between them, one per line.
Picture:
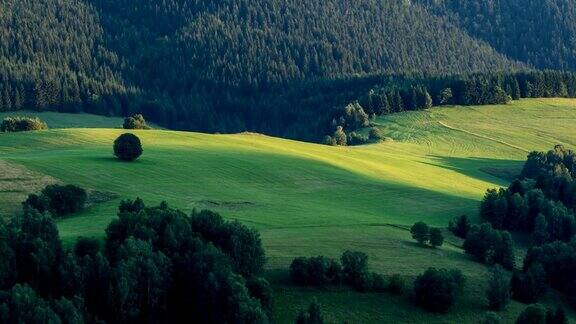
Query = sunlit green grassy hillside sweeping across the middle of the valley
x=309 y=199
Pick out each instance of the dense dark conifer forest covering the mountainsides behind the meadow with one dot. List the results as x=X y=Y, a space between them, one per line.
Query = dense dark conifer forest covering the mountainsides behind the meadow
x=225 y=65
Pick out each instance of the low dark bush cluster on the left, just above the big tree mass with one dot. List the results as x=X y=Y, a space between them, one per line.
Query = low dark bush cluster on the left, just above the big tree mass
x=58 y=200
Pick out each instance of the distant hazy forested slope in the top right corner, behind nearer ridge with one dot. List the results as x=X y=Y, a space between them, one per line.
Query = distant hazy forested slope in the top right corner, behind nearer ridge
x=539 y=33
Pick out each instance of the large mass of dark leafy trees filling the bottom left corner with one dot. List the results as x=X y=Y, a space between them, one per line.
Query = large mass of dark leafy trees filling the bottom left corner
x=157 y=265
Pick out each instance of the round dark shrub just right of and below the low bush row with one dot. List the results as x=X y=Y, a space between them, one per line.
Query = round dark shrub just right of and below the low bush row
x=437 y=290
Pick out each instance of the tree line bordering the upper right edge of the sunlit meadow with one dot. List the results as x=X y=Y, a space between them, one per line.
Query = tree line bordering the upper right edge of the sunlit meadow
x=394 y=94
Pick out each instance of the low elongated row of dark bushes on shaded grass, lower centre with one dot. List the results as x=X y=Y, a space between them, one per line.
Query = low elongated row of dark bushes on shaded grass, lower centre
x=351 y=270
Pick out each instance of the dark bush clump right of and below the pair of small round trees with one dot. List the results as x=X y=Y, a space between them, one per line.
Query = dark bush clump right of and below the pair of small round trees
x=490 y=246
